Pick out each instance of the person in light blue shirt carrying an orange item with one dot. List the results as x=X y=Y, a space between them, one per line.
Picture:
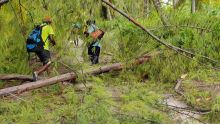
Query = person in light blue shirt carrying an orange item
x=94 y=46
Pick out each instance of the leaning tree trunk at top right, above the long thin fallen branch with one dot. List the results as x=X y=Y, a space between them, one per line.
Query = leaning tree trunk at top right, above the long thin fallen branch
x=163 y=17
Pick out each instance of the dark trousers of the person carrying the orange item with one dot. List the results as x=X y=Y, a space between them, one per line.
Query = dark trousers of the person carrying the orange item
x=93 y=52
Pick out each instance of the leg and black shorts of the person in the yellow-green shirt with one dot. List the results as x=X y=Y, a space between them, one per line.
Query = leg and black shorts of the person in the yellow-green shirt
x=44 y=56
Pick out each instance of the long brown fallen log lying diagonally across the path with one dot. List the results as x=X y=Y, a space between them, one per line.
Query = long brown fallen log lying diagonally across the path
x=66 y=77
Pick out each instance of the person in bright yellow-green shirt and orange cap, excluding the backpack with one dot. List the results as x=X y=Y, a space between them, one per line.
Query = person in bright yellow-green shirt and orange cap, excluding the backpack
x=47 y=35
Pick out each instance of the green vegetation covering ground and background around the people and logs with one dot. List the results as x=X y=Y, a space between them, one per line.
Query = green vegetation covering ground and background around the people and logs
x=141 y=89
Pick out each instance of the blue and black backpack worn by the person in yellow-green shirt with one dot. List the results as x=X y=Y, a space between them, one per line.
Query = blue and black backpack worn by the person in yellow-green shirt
x=34 y=41
